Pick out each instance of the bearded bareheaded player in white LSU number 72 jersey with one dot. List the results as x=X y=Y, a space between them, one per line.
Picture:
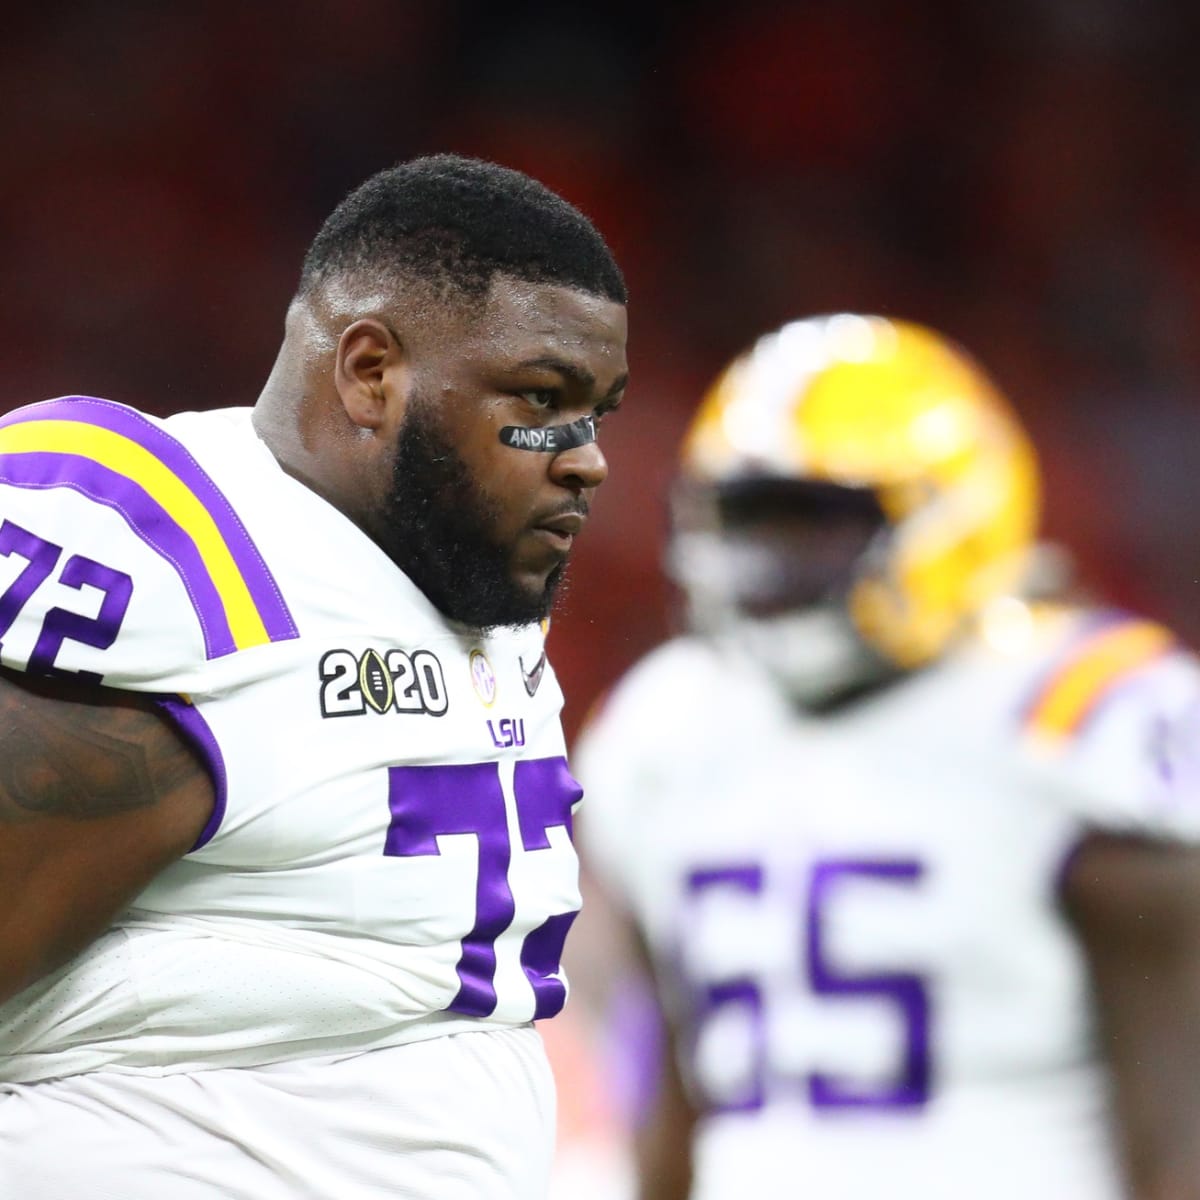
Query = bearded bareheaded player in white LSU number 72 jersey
x=285 y=814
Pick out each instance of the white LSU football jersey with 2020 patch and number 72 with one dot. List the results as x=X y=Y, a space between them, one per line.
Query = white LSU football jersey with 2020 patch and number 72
x=391 y=854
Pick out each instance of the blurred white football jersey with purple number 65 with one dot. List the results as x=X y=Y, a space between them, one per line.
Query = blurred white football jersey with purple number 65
x=855 y=916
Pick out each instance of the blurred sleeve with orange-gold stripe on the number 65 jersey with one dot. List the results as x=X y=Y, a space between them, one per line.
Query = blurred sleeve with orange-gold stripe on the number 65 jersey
x=1114 y=729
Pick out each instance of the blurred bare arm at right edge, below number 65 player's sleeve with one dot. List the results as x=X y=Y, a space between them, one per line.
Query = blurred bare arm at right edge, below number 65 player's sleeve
x=1136 y=907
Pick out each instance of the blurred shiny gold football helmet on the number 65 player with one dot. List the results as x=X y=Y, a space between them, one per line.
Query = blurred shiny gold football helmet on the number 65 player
x=889 y=412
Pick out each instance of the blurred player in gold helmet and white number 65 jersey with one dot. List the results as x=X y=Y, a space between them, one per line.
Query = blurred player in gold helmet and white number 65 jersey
x=893 y=826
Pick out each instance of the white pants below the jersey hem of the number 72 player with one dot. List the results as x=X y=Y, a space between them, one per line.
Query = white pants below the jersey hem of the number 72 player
x=464 y=1118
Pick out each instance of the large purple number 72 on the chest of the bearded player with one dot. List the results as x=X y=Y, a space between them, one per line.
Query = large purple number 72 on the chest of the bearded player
x=428 y=802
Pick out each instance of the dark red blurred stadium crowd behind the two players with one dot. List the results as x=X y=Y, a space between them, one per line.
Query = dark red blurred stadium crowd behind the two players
x=1024 y=177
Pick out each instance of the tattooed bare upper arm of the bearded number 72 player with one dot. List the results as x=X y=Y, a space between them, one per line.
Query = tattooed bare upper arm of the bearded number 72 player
x=98 y=795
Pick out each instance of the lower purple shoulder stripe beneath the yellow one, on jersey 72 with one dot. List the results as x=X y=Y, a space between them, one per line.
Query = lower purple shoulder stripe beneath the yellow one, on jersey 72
x=146 y=517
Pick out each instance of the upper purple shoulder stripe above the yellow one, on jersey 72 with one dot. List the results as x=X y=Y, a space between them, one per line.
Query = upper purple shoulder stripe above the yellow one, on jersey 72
x=172 y=454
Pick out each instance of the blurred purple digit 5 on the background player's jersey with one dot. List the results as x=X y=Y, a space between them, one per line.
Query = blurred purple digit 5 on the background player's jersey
x=905 y=991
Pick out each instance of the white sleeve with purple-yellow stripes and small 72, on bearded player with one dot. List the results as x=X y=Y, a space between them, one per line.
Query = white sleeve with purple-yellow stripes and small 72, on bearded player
x=122 y=562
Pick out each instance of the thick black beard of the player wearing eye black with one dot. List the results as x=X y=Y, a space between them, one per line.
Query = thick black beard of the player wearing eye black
x=439 y=527
